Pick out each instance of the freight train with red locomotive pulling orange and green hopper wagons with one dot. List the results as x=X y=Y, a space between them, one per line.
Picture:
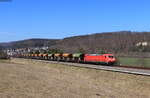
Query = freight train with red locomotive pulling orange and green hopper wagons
x=107 y=59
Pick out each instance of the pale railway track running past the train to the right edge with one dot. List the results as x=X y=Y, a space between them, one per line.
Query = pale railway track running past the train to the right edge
x=122 y=69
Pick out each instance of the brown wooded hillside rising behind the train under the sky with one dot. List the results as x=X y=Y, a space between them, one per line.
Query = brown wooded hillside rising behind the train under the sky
x=122 y=43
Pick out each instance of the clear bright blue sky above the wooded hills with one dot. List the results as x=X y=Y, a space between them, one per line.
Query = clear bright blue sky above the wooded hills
x=57 y=19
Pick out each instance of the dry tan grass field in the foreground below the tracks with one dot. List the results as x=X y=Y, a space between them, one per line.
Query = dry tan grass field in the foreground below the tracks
x=31 y=79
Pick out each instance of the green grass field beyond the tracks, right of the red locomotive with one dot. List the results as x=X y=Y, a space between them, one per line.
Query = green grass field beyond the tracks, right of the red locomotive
x=142 y=62
